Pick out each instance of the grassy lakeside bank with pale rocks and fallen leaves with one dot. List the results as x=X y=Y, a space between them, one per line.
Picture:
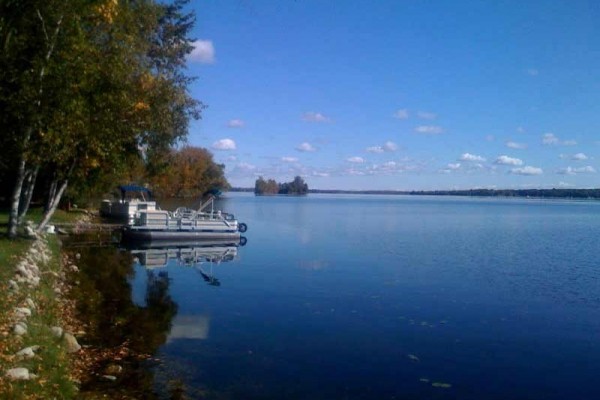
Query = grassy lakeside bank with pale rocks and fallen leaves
x=47 y=350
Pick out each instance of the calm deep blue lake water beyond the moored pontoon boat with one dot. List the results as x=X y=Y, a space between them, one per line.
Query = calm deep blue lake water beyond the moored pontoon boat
x=391 y=297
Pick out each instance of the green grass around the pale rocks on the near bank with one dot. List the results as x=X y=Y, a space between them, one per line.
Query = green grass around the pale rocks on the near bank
x=51 y=363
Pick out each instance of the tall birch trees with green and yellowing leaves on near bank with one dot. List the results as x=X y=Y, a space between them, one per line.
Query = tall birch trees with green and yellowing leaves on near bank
x=94 y=94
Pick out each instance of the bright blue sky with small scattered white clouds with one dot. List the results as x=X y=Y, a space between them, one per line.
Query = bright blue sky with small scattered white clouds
x=400 y=95
